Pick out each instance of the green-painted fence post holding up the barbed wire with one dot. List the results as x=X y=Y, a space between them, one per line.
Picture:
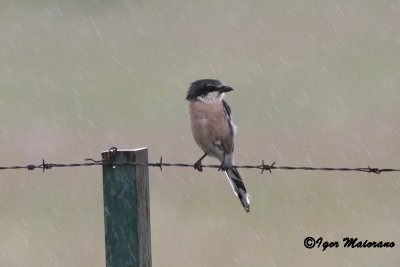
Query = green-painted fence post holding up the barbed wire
x=127 y=210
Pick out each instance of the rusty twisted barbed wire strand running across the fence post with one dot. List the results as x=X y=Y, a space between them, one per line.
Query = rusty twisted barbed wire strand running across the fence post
x=113 y=151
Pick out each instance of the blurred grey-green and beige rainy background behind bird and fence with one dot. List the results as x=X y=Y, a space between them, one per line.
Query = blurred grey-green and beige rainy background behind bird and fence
x=316 y=84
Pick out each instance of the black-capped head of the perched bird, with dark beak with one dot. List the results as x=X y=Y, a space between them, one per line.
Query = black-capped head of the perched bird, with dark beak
x=206 y=88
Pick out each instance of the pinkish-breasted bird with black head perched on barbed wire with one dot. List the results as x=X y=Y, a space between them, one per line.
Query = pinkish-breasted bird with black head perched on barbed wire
x=214 y=131
